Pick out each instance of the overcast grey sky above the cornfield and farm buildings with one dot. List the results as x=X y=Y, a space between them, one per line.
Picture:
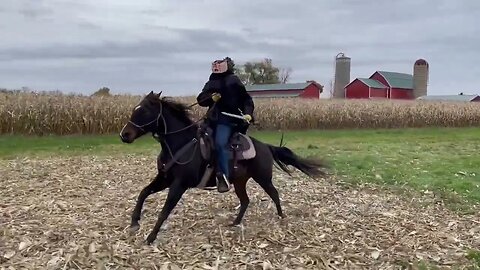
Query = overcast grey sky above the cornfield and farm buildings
x=138 y=46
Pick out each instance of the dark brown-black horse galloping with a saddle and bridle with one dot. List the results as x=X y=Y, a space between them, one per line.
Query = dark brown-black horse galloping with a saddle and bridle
x=181 y=165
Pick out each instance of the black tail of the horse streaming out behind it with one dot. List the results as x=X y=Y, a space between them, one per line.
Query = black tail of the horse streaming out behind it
x=283 y=156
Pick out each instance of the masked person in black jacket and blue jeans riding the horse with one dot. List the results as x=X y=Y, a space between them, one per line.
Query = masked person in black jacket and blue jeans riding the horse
x=224 y=92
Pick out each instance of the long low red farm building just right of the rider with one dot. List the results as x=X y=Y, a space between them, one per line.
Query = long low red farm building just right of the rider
x=309 y=89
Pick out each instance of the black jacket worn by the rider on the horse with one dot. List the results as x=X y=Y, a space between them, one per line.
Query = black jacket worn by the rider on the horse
x=234 y=97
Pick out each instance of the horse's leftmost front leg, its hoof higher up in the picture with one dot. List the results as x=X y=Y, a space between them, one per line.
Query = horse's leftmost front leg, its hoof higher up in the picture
x=158 y=184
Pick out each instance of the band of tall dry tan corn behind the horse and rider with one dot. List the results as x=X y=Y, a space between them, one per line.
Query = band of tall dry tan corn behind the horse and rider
x=43 y=114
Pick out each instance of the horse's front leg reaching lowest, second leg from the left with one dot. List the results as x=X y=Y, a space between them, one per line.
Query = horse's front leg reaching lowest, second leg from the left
x=174 y=194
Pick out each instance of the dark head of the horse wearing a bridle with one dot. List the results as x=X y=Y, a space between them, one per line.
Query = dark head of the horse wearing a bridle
x=145 y=118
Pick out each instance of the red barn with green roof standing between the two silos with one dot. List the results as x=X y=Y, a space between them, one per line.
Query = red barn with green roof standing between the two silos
x=382 y=84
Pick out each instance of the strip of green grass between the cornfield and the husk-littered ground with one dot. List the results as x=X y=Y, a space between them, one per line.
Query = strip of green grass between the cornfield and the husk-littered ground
x=443 y=160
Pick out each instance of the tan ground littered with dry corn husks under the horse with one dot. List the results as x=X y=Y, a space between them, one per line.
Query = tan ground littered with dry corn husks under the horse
x=74 y=213
